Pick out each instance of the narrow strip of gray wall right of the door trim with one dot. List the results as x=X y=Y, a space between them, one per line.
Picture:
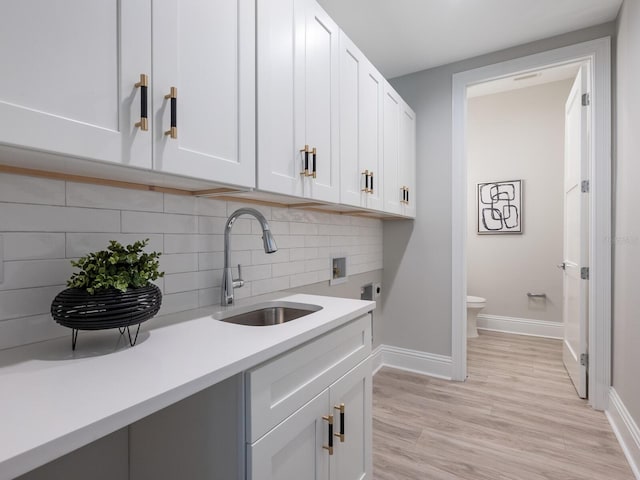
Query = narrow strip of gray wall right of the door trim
x=626 y=309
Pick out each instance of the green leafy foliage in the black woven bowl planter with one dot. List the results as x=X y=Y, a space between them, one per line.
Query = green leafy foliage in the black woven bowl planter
x=116 y=267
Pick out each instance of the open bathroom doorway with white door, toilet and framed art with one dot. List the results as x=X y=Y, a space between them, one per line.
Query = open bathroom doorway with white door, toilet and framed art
x=525 y=233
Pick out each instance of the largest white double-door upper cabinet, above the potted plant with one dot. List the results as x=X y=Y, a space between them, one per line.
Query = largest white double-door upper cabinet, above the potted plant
x=71 y=83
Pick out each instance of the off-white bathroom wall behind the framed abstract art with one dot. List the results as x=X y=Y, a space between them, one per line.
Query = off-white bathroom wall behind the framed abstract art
x=518 y=135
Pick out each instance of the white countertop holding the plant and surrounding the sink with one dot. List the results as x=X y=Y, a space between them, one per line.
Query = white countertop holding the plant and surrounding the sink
x=55 y=400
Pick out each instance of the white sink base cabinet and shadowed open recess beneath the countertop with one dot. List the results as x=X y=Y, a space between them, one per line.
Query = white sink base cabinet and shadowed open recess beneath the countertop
x=274 y=422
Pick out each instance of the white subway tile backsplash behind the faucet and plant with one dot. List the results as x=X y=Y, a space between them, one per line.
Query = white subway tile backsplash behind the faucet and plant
x=45 y=223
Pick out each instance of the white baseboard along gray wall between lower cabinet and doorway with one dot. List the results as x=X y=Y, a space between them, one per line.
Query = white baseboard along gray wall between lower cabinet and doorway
x=412 y=360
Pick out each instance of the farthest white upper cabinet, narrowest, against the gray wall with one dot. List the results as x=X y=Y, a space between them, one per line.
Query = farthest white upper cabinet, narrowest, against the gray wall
x=399 y=155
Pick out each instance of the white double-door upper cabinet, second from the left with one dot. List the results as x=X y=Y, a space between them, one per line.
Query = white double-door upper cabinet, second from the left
x=298 y=100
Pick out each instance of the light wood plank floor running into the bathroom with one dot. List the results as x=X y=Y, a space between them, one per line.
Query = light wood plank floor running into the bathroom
x=516 y=417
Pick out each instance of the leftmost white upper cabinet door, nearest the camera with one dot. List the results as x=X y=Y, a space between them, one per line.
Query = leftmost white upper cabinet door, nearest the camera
x=68 y=75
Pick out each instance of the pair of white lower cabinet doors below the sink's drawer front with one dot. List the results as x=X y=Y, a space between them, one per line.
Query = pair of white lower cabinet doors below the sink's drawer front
x=328 y=438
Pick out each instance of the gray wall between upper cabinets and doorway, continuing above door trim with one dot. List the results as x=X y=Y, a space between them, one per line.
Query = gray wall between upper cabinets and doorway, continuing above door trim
x=417 y=255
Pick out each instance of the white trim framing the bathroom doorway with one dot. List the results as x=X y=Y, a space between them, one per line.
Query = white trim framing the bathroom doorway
x=598 y=54
